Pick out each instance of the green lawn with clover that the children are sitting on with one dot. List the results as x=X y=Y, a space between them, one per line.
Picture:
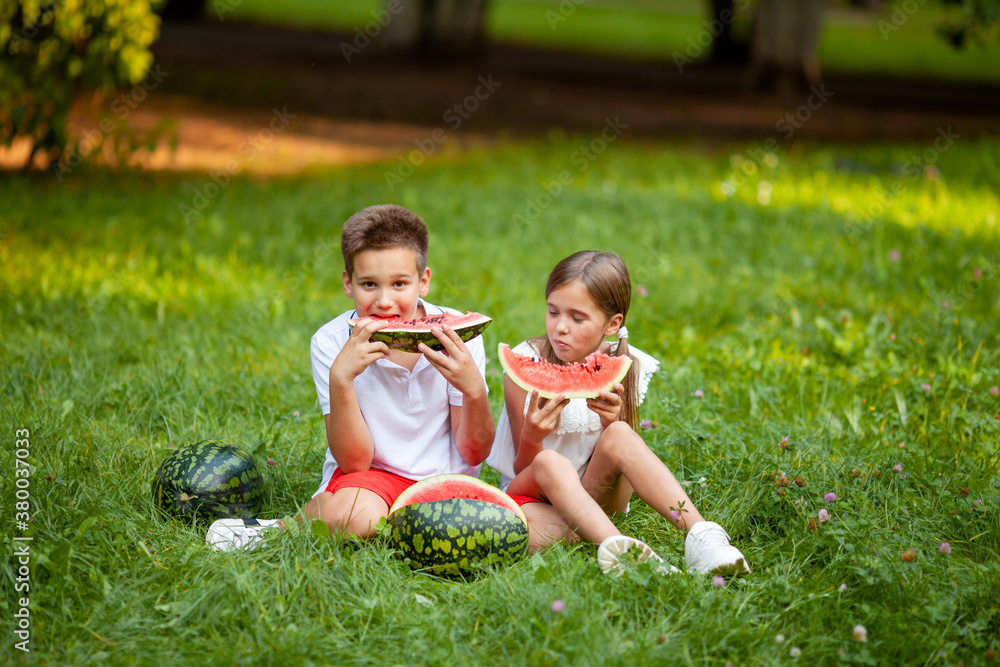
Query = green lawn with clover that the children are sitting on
x=128 y=331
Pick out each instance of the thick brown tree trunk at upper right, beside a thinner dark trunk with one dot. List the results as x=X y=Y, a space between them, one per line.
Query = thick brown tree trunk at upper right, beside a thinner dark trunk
x=785 y=41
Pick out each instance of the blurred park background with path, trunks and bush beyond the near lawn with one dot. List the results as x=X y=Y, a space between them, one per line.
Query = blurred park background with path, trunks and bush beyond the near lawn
x=363 y=75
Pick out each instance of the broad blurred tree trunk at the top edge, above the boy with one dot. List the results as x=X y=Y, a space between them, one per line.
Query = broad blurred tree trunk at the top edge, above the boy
x=449 y=27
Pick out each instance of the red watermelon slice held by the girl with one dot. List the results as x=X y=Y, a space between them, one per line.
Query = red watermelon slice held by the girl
x=599 y=372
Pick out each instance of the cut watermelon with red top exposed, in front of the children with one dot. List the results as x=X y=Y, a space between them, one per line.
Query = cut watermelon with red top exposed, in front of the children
x=454 y=524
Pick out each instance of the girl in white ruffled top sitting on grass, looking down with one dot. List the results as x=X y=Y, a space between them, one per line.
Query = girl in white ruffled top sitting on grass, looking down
x=570 y=463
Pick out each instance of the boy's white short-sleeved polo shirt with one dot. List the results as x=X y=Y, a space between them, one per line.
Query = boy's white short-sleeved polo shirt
x=407 y=412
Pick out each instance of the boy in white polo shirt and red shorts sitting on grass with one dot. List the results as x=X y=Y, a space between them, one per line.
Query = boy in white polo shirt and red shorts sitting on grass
x=392 y=418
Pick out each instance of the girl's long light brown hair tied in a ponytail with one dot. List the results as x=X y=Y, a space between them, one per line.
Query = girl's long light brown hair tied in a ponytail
x=606 y=279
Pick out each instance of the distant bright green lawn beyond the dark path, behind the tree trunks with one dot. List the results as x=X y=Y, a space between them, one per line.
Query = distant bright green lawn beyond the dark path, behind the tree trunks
x=852 y=41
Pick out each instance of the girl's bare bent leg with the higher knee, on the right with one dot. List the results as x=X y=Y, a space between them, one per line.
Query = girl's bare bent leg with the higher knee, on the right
x=620 y=452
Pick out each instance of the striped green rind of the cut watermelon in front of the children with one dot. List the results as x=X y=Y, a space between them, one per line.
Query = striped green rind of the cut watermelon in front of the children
x=457 y=536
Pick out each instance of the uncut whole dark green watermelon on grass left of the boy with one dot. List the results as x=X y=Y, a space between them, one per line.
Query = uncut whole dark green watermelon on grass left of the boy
x=209 y=480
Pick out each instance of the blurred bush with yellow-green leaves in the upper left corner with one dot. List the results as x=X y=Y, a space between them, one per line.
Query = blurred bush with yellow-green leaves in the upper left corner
x=53 y=49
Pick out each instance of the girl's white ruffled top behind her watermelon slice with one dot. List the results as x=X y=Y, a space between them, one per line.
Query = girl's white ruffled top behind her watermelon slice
x=579 y=427
